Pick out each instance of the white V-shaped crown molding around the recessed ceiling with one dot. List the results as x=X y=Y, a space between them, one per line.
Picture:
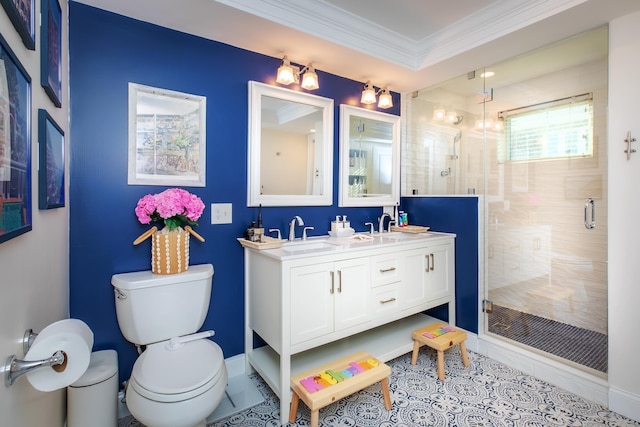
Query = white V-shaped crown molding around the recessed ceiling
x=324 y=20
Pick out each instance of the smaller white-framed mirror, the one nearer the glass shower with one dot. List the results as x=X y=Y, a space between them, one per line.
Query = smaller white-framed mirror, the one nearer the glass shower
x=369 y=158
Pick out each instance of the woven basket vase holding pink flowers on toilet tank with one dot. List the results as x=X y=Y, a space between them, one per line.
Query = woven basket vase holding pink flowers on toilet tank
x=170 y=252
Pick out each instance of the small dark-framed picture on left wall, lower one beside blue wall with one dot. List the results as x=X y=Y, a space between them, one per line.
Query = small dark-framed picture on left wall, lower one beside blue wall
x=51 y=191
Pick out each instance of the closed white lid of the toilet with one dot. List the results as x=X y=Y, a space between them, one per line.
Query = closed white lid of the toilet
x=164 y=371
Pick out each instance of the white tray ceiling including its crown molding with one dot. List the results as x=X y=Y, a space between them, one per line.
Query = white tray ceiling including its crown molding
x=405 y=44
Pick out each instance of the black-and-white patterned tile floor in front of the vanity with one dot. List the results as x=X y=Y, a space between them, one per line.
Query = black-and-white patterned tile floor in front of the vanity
x=484 y=394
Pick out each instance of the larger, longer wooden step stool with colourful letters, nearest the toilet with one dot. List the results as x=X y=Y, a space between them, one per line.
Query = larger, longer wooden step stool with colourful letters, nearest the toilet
x=319 y=393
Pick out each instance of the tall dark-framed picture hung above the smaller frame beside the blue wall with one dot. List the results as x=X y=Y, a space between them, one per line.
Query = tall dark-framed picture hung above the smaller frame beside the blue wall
x=51 y=50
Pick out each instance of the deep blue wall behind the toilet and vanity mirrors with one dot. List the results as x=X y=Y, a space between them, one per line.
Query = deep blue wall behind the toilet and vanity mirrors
x=107 y=52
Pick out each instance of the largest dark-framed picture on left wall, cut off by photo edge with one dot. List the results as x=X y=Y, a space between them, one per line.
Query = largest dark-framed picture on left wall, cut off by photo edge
x=15 y=145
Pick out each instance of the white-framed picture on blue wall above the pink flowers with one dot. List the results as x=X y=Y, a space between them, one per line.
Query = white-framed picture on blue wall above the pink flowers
x=167 y=137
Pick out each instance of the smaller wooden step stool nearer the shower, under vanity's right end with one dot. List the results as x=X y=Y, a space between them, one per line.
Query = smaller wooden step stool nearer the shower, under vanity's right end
x=440 y=337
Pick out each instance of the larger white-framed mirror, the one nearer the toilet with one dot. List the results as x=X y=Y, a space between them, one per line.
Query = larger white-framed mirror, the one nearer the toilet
x=290 y=152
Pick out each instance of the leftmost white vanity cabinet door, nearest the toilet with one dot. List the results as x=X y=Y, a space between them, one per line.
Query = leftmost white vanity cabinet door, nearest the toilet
x=312 y=291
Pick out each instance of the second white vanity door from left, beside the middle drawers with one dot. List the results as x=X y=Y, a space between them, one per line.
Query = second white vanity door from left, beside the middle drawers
x=352 y=278
